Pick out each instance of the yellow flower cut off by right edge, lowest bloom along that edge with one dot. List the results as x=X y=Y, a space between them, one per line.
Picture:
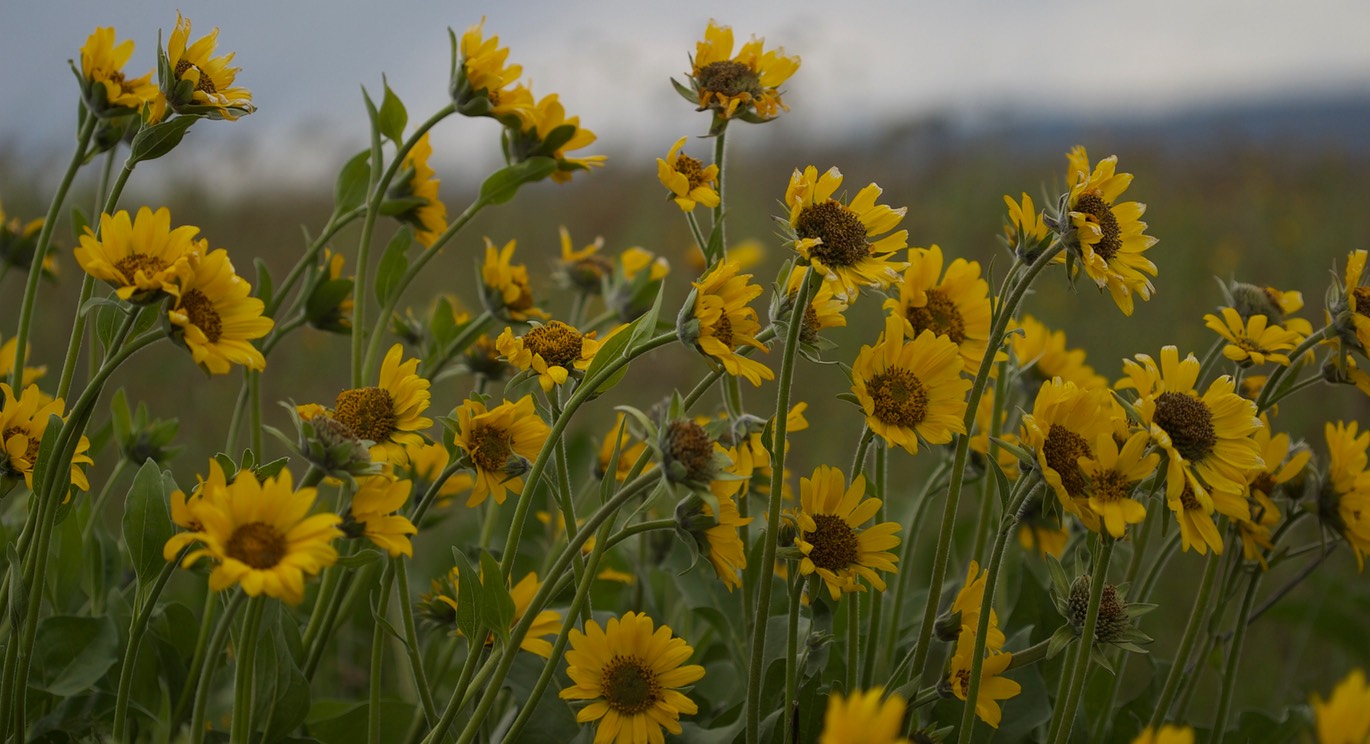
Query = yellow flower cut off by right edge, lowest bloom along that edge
x=1345 y=498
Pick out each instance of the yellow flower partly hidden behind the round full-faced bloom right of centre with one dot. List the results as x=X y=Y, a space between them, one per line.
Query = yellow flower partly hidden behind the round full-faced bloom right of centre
x=958 y=306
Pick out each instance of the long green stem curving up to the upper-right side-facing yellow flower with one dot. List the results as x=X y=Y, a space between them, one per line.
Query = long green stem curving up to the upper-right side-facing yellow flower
x=958 y=469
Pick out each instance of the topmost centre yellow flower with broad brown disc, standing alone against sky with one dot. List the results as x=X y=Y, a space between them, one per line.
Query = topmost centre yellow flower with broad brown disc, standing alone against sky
x=746 y=86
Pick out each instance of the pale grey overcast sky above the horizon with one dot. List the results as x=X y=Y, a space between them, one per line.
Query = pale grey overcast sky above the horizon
x=865 y=64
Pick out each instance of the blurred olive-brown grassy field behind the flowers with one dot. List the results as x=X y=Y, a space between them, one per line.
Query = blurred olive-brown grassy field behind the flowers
x=1262 y=216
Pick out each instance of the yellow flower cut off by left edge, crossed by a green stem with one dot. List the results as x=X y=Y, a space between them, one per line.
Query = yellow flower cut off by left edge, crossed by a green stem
x=24 y=421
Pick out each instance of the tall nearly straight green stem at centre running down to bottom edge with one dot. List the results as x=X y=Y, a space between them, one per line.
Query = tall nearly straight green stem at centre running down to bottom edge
x=786 y=383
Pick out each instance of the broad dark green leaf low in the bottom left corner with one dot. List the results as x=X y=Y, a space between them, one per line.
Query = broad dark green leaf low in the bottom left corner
x=72 y=654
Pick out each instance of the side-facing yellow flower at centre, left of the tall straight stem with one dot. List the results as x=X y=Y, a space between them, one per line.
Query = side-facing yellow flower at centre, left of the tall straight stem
x=727 y=323
